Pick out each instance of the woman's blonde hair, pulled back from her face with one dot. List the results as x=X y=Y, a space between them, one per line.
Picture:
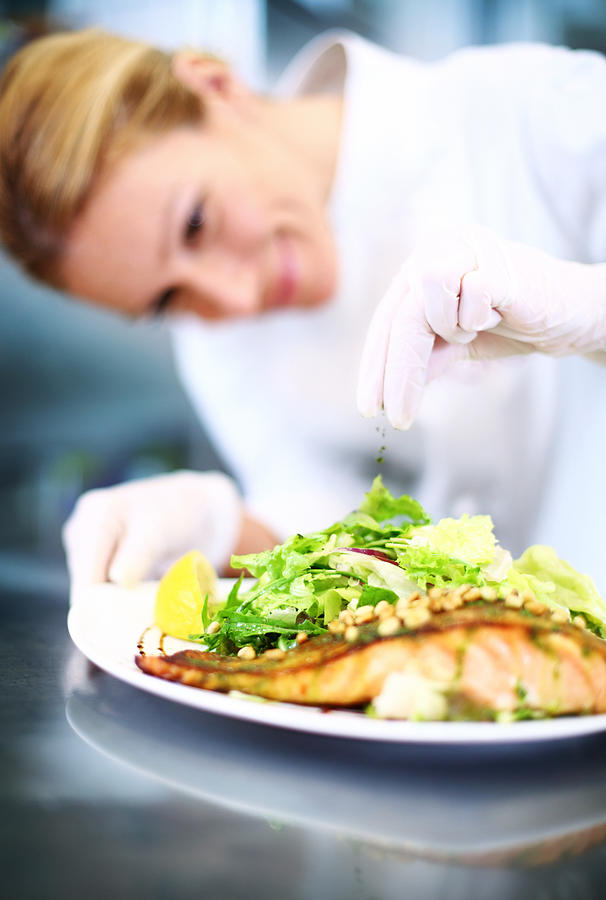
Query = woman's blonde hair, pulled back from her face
x=71 y=104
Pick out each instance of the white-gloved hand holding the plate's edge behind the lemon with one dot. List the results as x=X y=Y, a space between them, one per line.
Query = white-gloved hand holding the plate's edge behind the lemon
x=136 y=530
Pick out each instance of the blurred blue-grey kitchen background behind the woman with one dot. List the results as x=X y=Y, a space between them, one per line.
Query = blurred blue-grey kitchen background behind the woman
x=90 y=400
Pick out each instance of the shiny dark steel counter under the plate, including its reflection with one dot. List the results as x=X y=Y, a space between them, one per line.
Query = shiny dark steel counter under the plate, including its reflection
x=107 y=791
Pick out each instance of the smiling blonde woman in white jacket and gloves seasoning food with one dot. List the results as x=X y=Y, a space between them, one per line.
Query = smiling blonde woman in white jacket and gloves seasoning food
x=468 y=194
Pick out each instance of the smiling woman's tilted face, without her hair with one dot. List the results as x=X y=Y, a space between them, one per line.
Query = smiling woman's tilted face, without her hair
x=218 y=219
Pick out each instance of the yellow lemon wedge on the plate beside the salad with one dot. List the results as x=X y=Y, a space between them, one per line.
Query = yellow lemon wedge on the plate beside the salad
x=181 y=594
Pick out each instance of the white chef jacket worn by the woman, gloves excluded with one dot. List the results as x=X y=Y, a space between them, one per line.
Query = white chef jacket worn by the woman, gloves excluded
x=511 y=137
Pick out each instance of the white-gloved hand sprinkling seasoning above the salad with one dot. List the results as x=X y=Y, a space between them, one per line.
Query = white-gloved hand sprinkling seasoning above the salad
x=468 y=294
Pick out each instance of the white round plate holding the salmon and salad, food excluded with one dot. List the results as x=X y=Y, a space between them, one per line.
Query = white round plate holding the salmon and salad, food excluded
x=106 y=624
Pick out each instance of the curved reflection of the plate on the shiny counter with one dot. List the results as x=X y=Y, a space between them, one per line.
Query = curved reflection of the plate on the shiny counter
x=490 y=806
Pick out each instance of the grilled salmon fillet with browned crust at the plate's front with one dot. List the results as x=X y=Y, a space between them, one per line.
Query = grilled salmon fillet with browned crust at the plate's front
x=486 y=658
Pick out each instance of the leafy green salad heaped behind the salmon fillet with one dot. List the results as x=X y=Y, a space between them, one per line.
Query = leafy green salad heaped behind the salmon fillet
x=386 y=549
